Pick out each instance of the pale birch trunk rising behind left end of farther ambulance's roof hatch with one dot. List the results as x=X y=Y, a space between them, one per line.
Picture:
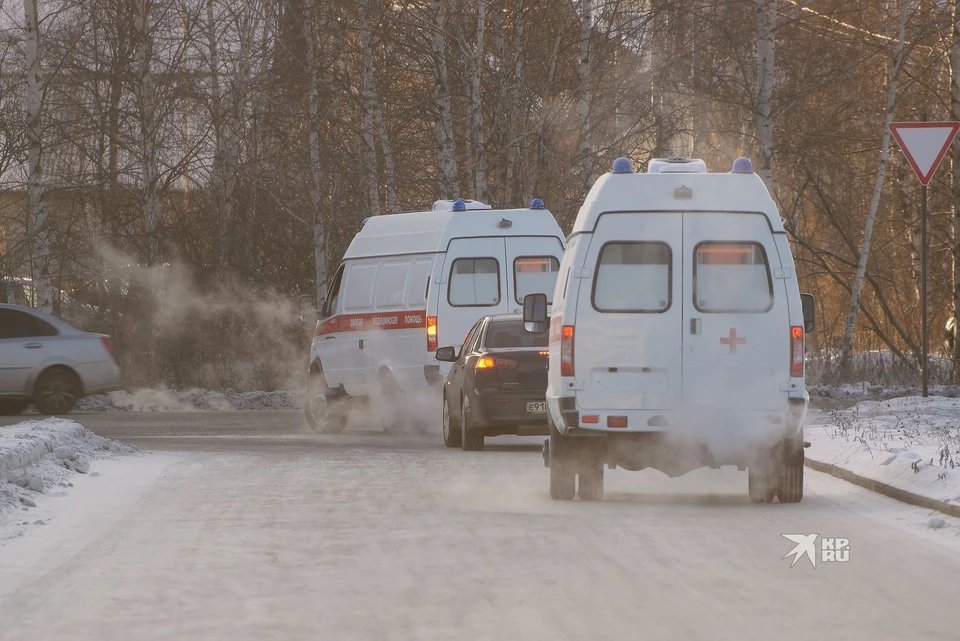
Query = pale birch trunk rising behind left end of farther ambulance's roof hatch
x=446 y=156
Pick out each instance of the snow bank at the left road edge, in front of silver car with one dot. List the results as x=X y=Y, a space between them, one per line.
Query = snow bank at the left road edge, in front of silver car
x=38 y=455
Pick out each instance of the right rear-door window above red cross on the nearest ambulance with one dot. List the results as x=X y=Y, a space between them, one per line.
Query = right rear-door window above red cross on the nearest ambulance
x=732 y=278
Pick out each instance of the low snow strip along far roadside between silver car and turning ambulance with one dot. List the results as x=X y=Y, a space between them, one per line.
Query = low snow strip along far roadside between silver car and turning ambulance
x=163 y=400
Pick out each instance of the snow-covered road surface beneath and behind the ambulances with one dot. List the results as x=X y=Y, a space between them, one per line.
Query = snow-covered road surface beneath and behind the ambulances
x=251 y=530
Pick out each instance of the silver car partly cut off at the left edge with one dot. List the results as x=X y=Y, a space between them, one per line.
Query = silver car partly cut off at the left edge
x=48 y=363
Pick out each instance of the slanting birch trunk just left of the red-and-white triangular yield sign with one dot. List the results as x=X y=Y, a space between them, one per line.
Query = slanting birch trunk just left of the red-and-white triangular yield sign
x=895 y=68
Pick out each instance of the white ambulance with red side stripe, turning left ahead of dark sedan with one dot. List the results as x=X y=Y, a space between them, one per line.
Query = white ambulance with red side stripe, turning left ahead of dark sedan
x=412 y=282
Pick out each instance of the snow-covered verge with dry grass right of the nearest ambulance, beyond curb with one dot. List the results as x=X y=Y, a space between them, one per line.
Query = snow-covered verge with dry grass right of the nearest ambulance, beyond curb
x=909 y=443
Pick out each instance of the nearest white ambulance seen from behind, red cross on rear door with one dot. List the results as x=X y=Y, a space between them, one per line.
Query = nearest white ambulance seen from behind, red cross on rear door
x=676 y=333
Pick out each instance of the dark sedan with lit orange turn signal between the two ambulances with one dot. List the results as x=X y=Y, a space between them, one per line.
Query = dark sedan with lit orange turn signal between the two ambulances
x=497 y=384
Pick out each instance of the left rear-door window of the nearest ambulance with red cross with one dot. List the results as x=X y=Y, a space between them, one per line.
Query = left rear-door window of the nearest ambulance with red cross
x=633 y=277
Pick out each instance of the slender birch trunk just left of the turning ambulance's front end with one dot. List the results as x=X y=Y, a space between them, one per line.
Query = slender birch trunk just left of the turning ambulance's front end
x=316 y=176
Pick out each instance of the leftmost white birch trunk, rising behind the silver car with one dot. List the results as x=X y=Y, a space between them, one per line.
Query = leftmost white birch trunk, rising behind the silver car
x=36 y=190
